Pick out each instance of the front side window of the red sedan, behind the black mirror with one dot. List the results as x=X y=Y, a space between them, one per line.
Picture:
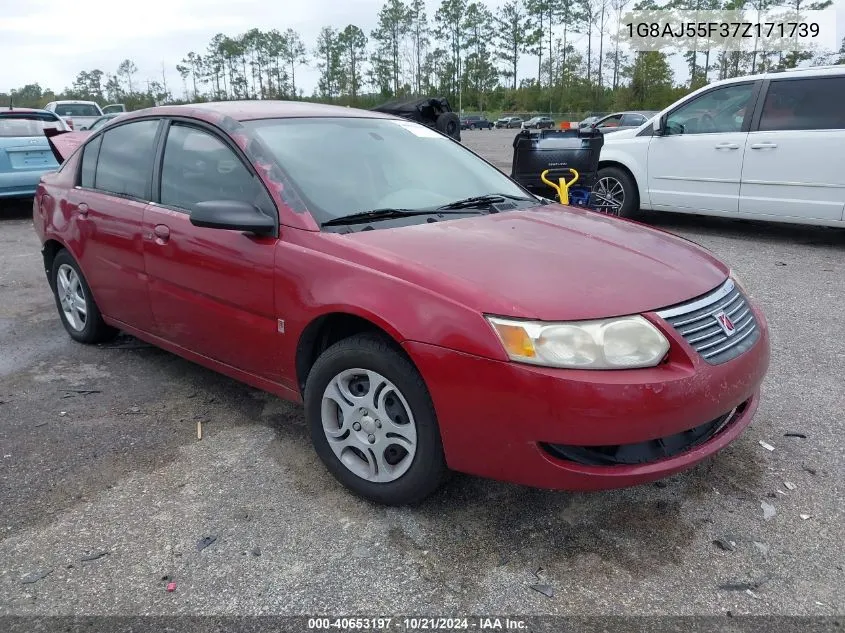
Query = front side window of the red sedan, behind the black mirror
x=199 y=167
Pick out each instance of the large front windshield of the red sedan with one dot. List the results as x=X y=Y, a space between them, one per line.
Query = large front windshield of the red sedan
x=350 y=165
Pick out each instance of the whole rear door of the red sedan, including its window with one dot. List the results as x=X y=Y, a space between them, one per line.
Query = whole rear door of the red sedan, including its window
x=108 y=207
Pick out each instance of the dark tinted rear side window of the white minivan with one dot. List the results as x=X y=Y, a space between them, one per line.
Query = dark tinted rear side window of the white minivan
x=804 y=104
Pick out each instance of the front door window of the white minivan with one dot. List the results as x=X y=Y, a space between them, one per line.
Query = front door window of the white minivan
x=718 y=111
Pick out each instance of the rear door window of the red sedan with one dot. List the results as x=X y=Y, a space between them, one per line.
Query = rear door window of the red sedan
x=126 y=159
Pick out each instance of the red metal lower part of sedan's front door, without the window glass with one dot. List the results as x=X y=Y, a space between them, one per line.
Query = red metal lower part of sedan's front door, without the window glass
x=212 y=290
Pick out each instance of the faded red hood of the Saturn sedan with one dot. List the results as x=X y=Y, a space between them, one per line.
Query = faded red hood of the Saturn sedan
x=549 y=263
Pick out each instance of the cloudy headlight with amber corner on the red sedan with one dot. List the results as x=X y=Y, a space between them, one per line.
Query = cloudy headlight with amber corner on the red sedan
x=618 y=343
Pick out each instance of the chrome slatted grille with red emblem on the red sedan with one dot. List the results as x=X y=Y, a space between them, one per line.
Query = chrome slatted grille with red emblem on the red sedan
x=697 y=322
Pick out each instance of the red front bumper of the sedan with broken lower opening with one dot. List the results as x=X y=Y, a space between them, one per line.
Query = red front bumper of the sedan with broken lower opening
x=507 y=421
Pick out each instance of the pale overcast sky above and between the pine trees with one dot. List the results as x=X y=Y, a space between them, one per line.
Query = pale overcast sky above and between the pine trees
x=49 y=43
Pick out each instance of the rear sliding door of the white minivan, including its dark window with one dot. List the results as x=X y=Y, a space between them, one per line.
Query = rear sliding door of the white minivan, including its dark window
x=795 y=157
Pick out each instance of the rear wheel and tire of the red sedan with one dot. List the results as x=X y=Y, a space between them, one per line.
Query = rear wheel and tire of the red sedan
x=77 y=309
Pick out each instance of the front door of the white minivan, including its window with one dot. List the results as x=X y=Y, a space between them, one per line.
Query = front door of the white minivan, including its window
x=697 y=164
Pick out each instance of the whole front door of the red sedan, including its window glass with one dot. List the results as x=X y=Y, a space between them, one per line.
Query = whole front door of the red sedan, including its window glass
x=211 y=290
